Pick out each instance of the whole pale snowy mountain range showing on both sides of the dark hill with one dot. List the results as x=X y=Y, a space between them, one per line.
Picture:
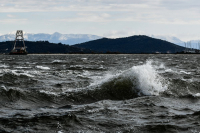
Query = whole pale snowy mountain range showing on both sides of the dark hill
x=72 y=39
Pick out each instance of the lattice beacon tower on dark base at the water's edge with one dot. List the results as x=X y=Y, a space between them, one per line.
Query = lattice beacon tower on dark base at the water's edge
x=19 y=45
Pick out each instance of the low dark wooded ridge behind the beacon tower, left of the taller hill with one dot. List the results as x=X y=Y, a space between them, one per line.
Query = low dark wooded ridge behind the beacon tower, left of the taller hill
x=43 y=47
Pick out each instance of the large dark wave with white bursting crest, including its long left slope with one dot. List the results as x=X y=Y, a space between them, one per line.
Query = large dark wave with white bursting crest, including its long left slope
x=142 y=80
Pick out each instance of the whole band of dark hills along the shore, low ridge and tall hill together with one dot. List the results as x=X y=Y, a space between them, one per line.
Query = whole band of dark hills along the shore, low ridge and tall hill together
x=129 y=45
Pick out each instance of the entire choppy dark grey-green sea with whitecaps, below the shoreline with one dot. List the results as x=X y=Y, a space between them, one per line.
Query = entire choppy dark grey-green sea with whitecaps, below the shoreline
x=100 y=93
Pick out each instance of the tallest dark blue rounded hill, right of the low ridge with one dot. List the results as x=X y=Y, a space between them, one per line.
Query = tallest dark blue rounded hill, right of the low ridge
x=133 y=44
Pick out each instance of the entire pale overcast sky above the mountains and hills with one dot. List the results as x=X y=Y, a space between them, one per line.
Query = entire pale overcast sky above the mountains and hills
x=109 y=18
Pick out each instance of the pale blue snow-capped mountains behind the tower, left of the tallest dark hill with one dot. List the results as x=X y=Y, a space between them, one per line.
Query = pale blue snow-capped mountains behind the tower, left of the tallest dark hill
x=54 y=38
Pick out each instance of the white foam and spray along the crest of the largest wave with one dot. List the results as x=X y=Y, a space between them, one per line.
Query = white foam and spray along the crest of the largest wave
x=145 y=77
